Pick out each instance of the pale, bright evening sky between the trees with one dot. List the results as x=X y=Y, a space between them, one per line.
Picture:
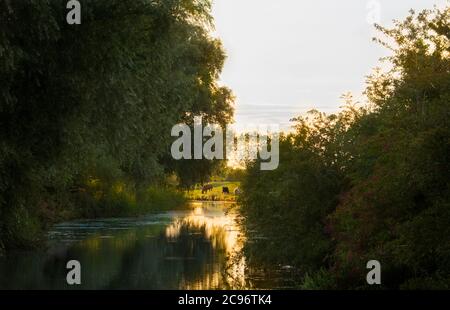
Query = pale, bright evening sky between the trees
x=286 y=57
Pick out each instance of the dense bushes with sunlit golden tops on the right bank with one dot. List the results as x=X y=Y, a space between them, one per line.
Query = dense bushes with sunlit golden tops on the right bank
x=367 y=183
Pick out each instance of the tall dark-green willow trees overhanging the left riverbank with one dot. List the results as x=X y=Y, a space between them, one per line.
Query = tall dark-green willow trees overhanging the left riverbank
x=86 y=110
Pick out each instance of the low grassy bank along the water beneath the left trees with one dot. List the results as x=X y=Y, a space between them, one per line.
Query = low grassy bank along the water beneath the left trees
x=27 y=226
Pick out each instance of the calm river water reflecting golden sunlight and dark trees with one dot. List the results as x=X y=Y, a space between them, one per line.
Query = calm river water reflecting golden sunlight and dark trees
x=200 y=248
